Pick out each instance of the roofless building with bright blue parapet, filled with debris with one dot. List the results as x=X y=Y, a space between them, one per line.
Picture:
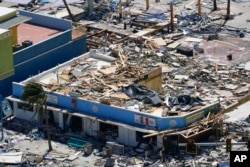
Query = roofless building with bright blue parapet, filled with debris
x=96 y=94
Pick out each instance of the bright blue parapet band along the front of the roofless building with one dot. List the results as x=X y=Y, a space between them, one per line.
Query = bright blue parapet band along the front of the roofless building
x=112 y=113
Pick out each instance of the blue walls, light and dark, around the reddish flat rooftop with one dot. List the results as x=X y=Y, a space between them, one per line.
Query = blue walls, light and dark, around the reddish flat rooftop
x=44 y=55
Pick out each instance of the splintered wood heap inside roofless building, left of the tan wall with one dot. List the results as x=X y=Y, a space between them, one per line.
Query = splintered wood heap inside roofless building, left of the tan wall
x=91 y=82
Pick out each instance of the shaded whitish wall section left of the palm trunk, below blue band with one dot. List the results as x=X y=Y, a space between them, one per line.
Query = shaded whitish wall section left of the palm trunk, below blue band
x=23 y=114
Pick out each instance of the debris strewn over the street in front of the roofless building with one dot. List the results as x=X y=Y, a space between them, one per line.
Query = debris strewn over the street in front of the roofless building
x=63 y=155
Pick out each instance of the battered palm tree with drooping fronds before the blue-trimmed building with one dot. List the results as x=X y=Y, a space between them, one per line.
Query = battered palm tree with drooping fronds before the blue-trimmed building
x=34 y=94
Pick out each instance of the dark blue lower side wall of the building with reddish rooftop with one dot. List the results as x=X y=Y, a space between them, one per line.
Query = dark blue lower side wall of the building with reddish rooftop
x=44 y=61
